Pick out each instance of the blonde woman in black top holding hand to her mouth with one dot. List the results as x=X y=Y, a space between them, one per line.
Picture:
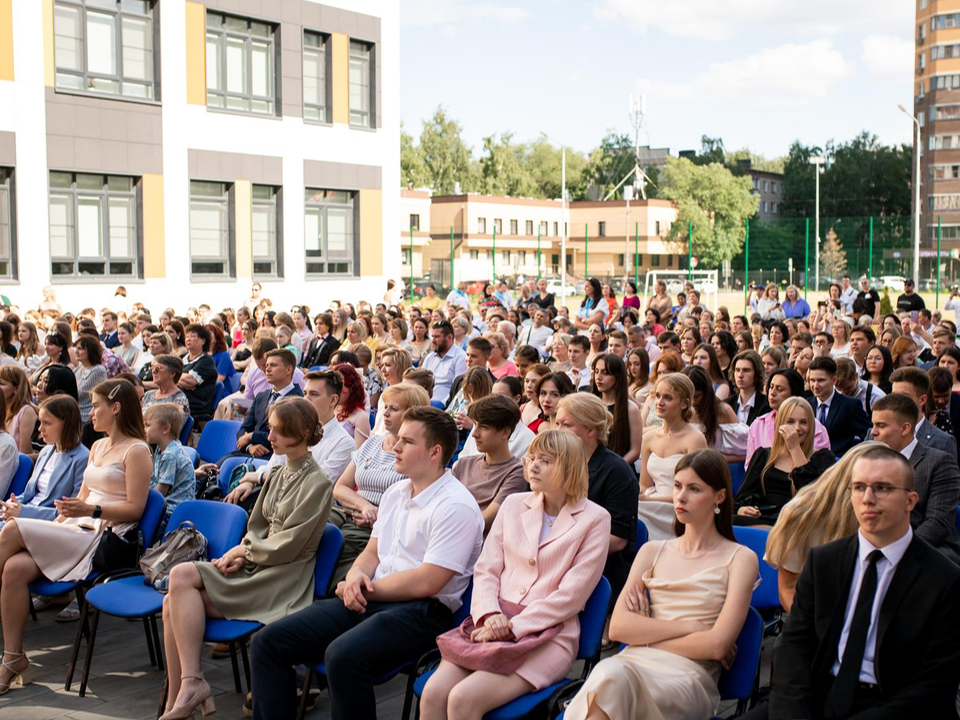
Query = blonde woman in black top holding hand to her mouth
x=776 y=473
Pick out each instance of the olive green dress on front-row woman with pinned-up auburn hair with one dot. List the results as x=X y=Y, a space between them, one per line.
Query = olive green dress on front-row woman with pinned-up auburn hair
x=281 y=544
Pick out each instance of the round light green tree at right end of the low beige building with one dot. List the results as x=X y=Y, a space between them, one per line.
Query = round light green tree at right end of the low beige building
x=715 y=201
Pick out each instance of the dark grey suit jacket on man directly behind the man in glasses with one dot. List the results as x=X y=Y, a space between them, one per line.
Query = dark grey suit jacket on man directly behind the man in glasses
x=938 y=484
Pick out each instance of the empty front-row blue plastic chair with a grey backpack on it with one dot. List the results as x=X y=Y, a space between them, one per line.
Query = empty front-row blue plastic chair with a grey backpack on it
x=222 y=524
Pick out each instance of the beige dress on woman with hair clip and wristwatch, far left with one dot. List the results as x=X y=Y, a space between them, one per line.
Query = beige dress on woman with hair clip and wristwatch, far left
x=64 y=550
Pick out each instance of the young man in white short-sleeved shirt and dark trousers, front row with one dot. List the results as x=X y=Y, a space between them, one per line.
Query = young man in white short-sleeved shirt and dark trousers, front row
x=399 y=595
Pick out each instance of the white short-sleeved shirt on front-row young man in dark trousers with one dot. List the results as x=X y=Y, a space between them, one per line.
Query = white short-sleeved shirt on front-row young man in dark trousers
x=441 y=526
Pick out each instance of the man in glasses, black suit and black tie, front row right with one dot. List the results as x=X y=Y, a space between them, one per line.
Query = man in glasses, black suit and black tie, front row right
x=840 y=657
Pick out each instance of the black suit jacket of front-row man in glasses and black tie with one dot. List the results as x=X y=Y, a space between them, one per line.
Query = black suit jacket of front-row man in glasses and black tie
x=917 y=660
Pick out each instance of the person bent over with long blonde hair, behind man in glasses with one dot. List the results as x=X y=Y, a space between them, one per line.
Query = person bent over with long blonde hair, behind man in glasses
x=819 y=513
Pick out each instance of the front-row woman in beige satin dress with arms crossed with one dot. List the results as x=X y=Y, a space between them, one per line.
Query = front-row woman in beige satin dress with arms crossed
x=681 y=610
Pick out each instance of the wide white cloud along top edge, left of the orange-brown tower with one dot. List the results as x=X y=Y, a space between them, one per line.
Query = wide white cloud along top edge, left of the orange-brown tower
x=724 y=19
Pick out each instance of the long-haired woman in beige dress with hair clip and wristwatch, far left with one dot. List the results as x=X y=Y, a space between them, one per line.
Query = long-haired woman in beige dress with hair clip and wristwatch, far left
x=113 y=494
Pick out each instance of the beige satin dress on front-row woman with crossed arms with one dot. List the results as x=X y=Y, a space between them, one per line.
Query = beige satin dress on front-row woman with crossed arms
x=644 y=683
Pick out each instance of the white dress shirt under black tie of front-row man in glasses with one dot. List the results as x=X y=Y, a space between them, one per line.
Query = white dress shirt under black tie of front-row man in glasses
x=886 y=567
